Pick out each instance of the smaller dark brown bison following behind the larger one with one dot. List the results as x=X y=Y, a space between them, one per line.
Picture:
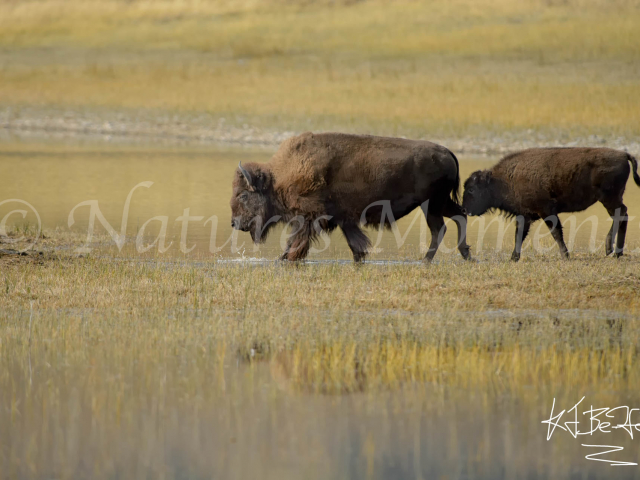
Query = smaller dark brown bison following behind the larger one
x=540 y=183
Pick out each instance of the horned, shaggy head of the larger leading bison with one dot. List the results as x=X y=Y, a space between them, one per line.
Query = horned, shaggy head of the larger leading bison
x=252 y=202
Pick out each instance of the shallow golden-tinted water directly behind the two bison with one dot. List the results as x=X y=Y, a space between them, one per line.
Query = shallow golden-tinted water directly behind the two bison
x=56 y=177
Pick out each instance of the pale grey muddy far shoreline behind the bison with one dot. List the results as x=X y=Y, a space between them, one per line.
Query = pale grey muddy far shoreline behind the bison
x=30 y=123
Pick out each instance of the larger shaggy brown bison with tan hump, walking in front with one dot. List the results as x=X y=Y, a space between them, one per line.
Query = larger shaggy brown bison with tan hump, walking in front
x=318 y=182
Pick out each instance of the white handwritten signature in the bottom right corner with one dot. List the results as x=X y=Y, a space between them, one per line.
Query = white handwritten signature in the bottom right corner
x=603 y=420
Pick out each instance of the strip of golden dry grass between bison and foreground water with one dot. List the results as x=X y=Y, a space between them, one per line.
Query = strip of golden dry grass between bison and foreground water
x=336 y=327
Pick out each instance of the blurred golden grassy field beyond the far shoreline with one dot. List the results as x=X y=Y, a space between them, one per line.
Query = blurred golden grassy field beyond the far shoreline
x=552 y=71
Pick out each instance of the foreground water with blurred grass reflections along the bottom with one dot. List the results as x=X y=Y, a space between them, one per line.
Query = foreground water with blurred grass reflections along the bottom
x=239 y=419
